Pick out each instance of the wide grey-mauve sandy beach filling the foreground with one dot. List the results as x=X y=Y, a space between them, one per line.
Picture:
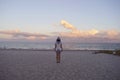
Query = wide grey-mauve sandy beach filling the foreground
x=41 y=65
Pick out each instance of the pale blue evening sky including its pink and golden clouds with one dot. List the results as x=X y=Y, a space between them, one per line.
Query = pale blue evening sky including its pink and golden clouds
x=72 y=20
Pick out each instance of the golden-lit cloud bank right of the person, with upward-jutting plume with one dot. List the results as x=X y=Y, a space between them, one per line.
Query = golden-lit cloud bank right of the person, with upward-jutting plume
x=93 y=34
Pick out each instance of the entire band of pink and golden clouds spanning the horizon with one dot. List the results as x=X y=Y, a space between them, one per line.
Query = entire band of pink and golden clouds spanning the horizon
x=73 y=34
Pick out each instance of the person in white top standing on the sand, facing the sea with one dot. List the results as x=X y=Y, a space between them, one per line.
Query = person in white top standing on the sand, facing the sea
x=58 y=49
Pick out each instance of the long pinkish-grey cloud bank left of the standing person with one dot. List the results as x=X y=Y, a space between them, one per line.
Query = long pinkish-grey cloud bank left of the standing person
x=24 y=35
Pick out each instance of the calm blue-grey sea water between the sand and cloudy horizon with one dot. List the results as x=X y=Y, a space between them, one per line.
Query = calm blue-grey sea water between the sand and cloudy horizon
x=67 y=46
